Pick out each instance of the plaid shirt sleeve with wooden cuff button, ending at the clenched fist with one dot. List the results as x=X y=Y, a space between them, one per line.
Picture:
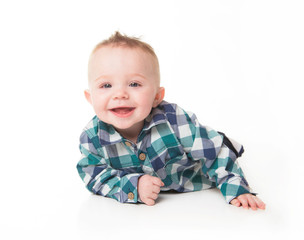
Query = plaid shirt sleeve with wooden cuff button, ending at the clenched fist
x=100 y=178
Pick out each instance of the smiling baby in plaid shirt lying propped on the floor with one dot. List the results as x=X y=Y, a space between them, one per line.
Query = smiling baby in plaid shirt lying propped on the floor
x=138 y=144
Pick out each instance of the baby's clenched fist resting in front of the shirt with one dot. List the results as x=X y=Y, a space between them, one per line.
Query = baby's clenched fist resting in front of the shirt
x=149 y=188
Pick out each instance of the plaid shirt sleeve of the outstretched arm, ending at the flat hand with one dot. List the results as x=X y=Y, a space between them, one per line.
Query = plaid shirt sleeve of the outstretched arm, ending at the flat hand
x=219 y=157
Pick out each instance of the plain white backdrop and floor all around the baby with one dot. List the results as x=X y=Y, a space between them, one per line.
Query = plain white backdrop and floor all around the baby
x=237 y=64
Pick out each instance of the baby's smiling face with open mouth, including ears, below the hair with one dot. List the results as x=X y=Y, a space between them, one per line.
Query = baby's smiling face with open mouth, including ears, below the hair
x=124 y=86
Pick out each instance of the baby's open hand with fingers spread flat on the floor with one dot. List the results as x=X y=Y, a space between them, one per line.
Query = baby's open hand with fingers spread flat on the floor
x=248 y=200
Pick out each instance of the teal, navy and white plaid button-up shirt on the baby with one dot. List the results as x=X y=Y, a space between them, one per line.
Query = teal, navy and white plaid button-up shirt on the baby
x=172 y=146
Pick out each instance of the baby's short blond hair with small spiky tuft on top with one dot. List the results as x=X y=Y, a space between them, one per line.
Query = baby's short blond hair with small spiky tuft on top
x=119 y=40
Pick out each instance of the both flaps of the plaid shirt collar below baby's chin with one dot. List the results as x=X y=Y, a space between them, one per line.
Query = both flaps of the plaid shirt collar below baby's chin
x=108 y=135
